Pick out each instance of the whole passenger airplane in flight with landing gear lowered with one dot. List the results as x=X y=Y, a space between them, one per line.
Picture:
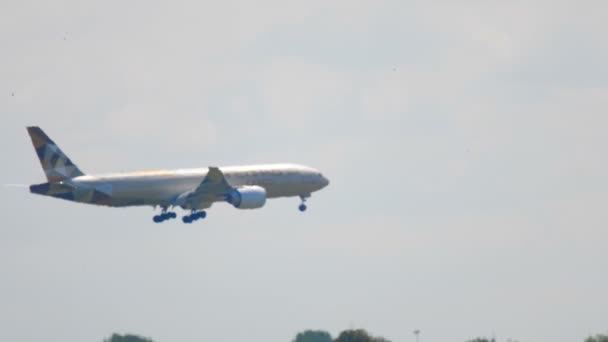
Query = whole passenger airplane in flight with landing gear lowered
x=194 y=190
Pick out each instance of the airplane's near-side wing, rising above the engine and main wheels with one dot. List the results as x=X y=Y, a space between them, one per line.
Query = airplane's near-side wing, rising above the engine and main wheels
x=213 y=188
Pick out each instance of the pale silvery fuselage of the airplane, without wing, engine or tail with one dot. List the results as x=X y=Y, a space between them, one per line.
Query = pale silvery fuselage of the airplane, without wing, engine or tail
x=163 y=187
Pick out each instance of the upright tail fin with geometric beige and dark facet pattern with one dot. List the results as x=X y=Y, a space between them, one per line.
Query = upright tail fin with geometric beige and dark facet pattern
x=56 y=165
